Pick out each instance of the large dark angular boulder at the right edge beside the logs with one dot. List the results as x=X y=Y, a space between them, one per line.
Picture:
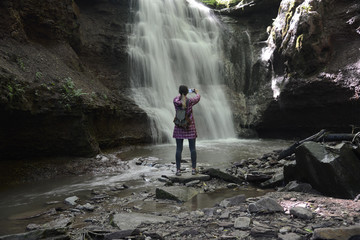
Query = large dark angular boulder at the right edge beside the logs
x=332 y=171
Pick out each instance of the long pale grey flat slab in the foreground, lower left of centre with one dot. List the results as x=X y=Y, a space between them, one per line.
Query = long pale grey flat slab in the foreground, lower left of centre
x=130 y=221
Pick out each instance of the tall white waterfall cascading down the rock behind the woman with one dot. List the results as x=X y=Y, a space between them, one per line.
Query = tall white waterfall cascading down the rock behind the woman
x=175 y=42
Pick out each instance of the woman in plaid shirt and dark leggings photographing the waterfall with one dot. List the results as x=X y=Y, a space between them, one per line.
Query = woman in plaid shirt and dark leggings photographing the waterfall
x=182 y=102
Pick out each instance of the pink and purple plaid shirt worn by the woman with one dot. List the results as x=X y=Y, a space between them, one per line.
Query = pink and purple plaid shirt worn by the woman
x=189 y=133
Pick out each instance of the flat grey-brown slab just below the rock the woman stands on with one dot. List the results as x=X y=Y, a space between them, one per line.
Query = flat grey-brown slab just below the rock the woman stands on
x=177 y=193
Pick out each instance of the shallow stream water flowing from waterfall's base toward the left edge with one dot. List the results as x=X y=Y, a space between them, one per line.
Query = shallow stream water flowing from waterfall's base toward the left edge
x=144 y=165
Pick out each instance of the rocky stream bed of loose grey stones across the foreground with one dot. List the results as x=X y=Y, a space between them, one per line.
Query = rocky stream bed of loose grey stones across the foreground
x=294 y=211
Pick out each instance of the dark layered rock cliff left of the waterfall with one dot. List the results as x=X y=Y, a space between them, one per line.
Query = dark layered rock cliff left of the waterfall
x=63 y=79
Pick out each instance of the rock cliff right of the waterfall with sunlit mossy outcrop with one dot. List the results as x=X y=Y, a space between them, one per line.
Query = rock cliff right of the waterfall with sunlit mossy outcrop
x=307 y=76
